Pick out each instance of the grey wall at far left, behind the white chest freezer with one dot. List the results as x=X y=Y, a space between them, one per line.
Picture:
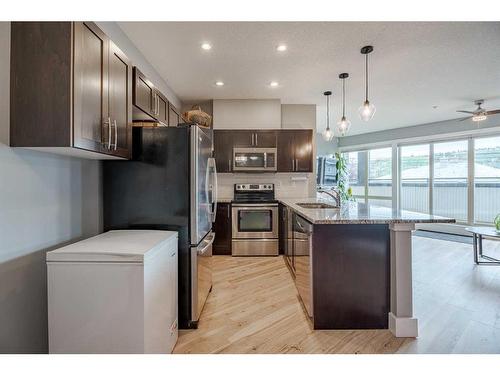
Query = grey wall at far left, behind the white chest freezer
x=45 y=200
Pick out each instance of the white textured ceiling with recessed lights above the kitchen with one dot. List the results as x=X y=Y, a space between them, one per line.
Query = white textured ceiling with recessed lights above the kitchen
x=414 y=66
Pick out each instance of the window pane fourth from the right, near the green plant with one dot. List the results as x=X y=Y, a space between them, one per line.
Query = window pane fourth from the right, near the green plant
x=380 y=175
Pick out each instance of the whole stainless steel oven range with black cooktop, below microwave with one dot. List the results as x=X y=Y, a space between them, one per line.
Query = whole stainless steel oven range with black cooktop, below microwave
x=254 y=220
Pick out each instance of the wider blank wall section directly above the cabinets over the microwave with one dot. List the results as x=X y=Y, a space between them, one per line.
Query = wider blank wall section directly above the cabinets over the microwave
x=247 y=114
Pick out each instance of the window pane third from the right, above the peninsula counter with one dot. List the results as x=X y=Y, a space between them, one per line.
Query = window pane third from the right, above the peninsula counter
x=414 y=179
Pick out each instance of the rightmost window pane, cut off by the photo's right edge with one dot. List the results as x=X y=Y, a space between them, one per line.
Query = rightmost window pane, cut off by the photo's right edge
x=486 y=179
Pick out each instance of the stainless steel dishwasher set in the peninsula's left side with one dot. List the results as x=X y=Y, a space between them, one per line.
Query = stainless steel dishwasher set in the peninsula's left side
x=302 y=246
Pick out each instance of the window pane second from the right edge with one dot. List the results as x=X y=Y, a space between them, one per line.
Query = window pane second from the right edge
x=450 y=186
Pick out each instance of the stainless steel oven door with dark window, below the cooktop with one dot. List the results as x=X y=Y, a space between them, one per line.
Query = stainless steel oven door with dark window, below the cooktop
x=255 y=220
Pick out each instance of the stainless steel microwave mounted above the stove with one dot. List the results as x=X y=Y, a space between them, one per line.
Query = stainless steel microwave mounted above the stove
x=251 y=159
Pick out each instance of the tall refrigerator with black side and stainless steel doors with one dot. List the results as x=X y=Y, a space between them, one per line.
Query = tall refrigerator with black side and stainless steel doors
x=170 y=183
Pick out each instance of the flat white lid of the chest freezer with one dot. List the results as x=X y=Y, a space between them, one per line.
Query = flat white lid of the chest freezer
x=130 y=246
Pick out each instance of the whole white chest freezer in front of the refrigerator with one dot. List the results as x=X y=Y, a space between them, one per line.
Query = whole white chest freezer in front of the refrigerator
x=114 y=293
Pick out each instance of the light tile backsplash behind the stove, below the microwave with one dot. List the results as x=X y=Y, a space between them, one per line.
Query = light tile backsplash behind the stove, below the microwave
x=286 y=185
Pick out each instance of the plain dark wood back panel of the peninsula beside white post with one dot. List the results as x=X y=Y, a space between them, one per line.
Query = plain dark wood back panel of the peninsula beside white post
x=351 y=276
